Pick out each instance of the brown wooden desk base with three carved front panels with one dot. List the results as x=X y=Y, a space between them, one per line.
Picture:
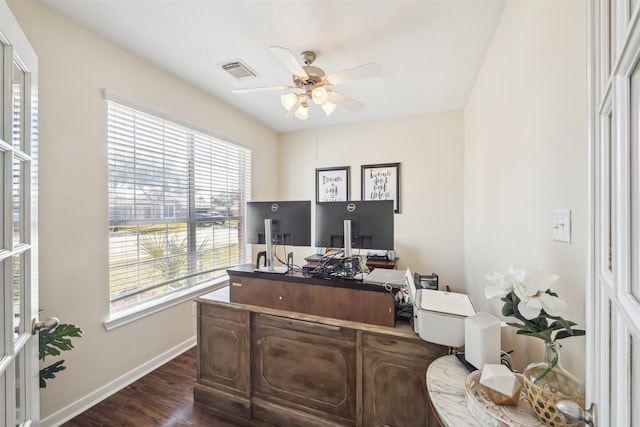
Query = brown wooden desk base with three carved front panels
x=294 y=369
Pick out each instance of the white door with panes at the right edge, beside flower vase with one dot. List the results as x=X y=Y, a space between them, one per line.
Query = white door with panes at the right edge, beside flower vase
x=613 y=349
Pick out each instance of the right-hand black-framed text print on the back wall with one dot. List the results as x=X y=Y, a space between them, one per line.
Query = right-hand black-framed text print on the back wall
x=382 y=182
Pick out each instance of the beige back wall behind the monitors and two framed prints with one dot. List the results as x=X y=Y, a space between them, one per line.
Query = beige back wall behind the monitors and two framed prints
x=429 y=228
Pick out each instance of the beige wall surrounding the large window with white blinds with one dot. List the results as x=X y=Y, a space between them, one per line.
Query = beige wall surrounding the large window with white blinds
x=75 y=65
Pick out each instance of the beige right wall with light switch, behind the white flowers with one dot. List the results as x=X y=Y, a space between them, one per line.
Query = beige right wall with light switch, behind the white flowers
x=525 y=156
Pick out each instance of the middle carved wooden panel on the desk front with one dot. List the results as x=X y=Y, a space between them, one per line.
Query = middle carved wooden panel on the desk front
x=306 y=367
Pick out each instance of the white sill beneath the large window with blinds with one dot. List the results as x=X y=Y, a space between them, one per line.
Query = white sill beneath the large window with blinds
x=139 y=311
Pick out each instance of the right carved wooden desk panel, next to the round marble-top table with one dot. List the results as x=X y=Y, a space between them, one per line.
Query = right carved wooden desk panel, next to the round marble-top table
x=394 y=381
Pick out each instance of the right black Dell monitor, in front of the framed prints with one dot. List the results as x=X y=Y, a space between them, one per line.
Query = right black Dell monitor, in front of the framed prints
x=369 y=223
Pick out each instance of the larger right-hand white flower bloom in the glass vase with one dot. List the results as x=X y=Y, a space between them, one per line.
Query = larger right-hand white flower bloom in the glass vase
x=534 y=298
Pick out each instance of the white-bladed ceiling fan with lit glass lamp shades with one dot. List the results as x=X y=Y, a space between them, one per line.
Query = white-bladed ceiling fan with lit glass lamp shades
x=311 y=83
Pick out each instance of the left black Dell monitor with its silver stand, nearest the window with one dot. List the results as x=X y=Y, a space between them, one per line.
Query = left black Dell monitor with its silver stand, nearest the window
x=286 y=223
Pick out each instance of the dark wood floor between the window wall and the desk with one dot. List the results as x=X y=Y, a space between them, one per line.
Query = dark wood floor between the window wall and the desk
x=162 y=398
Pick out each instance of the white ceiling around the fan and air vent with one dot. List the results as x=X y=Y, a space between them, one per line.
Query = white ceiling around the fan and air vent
x=429 y=50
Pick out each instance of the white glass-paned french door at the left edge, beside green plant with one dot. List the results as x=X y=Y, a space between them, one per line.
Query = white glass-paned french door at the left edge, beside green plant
x=19 y=385
